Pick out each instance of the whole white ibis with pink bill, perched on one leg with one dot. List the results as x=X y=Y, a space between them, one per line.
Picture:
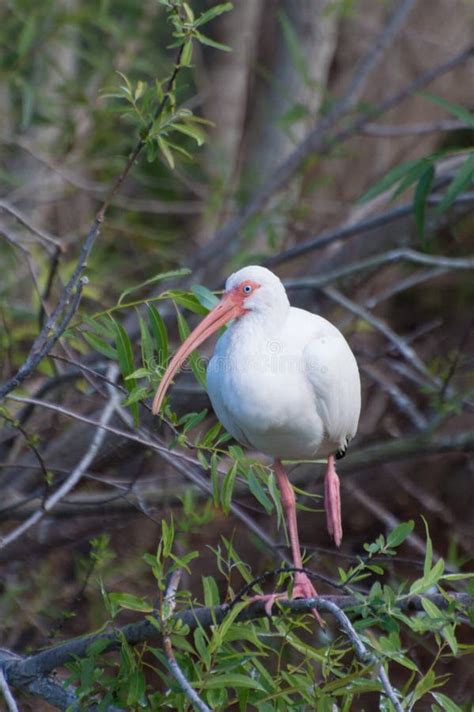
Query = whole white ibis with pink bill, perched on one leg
x=282 y=381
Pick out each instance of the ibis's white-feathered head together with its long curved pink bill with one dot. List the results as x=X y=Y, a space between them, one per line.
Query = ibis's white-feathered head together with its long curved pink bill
x=253 y=290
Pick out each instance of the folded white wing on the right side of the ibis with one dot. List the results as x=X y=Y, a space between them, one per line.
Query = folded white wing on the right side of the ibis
x=332 y=372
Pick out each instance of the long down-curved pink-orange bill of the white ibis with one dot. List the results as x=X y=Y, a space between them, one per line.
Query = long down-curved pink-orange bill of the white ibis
x=228 y=308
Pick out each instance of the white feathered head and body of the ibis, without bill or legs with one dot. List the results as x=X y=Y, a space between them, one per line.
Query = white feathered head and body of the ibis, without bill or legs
x=282 y=380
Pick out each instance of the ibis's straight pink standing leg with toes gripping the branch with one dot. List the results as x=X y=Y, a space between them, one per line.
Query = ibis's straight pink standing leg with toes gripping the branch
x=303 y=588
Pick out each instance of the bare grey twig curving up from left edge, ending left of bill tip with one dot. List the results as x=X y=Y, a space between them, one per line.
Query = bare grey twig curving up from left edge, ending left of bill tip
x=76 y=474
